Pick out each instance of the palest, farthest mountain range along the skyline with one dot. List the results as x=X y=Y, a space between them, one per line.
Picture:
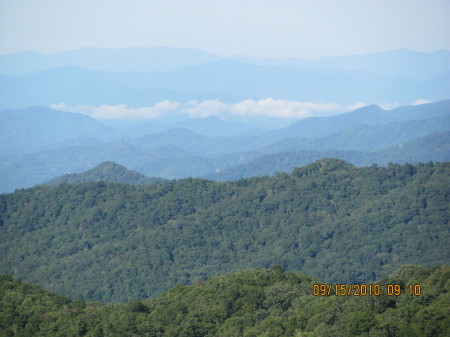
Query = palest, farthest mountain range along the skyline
x=401 y=62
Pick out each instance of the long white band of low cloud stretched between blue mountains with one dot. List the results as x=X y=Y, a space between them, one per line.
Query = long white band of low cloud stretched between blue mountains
x=200 y=109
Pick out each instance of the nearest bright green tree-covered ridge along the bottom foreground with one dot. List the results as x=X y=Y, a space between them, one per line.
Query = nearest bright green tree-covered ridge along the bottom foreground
x=252 y=302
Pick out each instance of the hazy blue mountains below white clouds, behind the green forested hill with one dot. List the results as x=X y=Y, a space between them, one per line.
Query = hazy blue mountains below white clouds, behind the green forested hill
x=37 y=150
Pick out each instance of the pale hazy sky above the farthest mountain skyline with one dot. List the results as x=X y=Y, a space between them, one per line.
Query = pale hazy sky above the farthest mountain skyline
x=258 y=28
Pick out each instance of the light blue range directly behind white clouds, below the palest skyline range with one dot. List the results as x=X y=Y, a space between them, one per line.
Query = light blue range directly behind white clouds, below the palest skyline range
x=223 y=80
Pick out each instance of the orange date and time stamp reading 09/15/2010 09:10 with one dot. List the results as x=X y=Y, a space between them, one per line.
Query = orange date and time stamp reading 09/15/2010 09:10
x=366 y=289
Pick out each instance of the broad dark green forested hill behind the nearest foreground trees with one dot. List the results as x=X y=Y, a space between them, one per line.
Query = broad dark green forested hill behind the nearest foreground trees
x=330 y=220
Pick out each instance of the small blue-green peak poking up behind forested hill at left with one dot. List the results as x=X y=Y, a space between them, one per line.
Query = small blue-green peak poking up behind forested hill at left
x=107 y=171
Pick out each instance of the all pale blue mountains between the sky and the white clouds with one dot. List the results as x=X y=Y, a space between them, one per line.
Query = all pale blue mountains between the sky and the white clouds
x=143 y=77
